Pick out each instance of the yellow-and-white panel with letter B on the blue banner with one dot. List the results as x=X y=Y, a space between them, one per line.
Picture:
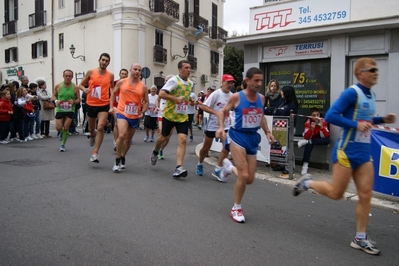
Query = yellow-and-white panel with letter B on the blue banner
x=389 y=163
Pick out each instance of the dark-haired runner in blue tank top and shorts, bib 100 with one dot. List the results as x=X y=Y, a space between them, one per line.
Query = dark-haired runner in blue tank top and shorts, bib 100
x=248 y=106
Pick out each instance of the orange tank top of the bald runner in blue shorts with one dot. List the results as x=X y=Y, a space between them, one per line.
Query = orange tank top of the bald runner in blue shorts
x=130 y=99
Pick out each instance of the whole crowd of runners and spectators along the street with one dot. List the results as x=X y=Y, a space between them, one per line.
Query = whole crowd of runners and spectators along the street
x=27 y=109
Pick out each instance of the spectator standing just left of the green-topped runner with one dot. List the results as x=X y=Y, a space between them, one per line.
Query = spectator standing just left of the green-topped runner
x=45 y=115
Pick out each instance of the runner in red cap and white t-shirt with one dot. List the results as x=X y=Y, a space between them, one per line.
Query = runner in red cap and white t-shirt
x=212 y=105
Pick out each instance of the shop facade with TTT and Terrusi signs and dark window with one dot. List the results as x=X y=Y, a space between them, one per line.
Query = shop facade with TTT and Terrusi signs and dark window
x=312 y=45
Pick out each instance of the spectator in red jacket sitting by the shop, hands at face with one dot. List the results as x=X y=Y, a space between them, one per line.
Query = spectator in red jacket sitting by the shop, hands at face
x=316 y=133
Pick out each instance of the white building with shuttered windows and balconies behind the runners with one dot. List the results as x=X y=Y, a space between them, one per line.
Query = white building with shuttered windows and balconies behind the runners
x=37 y=36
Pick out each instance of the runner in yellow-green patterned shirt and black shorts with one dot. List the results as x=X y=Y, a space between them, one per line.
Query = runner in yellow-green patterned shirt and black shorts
x=176 y=92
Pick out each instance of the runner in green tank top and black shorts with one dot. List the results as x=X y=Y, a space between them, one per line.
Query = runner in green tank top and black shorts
x=66 y=96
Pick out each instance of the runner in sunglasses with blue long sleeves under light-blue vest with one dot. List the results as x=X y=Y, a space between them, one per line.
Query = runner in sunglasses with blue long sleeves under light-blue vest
x=354 y=113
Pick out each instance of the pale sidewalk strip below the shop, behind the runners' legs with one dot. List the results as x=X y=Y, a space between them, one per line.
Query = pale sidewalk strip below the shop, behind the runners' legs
x=379 y=200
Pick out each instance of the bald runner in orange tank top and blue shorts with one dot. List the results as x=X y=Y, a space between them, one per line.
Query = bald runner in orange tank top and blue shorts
x=133 y=103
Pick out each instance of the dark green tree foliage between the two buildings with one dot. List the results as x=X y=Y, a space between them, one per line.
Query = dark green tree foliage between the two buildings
x=233 y=63
